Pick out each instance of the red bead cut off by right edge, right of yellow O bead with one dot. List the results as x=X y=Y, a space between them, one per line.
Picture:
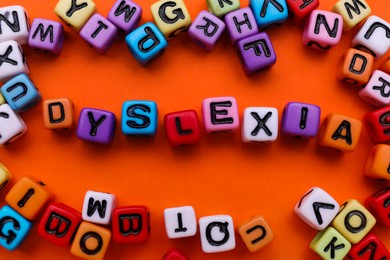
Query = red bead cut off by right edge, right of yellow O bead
x=379 y=205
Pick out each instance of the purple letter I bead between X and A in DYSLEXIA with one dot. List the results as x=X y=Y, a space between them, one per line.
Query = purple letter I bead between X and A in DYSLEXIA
x=301 y=120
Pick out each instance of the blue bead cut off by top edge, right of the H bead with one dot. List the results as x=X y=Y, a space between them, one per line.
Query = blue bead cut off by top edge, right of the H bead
x=268 y=12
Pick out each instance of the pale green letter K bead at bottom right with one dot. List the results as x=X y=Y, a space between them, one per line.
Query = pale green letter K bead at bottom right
x=330 y=244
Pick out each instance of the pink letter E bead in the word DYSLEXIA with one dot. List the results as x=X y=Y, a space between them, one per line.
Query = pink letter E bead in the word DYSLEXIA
x=220 y=114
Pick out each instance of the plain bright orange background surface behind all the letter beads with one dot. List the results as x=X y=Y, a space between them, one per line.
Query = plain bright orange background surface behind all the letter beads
x=220 y=175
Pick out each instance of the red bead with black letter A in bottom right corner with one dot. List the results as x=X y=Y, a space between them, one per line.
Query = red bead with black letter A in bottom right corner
x=369 y=248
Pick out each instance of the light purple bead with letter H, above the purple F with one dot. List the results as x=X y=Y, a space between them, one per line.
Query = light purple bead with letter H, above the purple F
x=240 y=24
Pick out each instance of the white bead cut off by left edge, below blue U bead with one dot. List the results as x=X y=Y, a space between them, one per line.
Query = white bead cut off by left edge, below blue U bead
x=11 y=125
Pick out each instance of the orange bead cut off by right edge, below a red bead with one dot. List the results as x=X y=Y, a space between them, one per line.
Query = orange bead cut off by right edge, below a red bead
x=377 y=164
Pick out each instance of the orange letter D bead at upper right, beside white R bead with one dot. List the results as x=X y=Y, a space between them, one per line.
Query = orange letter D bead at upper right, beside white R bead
x=356 y=67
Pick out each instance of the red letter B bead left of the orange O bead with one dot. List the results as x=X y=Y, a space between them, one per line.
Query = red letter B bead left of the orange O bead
x=58 y=223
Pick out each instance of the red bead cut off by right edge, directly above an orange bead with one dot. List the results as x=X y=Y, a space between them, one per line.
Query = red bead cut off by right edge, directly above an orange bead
x=378 y=124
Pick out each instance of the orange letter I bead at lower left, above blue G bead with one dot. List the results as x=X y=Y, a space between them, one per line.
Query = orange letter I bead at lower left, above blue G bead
x=28 y=197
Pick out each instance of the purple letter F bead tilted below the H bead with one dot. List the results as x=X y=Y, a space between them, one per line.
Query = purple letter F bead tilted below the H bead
x=256 y=52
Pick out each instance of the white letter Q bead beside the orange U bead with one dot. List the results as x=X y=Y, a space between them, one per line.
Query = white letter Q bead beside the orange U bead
x=217 y=233
